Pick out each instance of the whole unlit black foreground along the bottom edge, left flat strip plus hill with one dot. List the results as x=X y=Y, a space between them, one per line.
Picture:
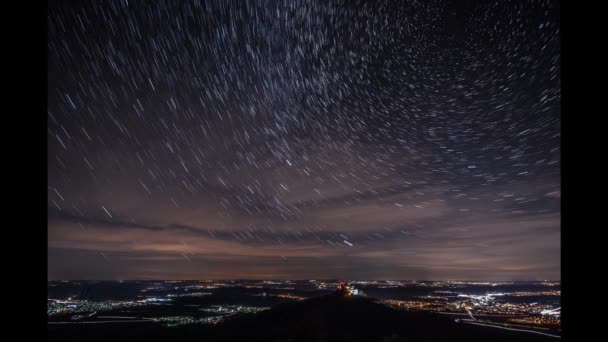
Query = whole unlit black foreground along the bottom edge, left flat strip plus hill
x=327 y=318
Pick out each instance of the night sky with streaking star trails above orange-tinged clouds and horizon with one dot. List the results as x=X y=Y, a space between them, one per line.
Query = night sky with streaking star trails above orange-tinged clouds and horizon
x=304 y=140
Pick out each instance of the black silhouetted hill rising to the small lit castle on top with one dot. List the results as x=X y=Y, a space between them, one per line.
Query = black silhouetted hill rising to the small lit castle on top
x=339 y=318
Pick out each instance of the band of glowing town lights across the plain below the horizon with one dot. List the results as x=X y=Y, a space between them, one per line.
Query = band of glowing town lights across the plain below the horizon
x=530 y=305
